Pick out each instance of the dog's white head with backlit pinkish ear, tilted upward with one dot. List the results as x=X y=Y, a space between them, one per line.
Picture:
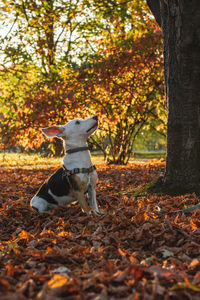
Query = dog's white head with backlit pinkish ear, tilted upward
x=76 y=129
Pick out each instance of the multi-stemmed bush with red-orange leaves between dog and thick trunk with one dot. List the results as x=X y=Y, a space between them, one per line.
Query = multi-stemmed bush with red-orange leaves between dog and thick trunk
x=127 y=88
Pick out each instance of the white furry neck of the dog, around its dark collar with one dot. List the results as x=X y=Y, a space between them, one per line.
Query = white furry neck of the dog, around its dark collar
x=81 y=159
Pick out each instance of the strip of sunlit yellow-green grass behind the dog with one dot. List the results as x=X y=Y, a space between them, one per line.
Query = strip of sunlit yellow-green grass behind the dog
x=35 y=160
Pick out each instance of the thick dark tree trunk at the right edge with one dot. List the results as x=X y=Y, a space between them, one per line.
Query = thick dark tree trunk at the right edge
x=183 y=94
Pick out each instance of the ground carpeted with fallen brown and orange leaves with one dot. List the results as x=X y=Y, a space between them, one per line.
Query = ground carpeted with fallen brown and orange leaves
x=133 y=252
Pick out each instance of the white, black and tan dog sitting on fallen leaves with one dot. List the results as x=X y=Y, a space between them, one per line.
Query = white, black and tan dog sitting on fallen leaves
x=77 y=176
